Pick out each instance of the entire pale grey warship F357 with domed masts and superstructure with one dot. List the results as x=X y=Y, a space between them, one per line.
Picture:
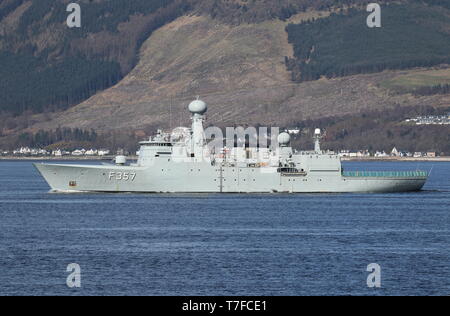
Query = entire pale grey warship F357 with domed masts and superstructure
x=182 y=162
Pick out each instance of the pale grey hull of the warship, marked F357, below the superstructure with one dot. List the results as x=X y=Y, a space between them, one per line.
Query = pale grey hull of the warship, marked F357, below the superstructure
x=205 y=178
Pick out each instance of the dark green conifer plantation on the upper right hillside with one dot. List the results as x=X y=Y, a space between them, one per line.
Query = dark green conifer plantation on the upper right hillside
x=412 y=35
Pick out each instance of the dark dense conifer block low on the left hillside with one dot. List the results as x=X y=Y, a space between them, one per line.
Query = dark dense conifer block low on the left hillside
x=28 y=83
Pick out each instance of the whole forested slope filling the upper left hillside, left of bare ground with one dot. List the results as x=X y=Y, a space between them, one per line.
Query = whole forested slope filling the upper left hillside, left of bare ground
x=39 y=75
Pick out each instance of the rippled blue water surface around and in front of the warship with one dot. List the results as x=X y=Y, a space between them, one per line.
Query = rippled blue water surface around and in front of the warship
x=212 y=244
